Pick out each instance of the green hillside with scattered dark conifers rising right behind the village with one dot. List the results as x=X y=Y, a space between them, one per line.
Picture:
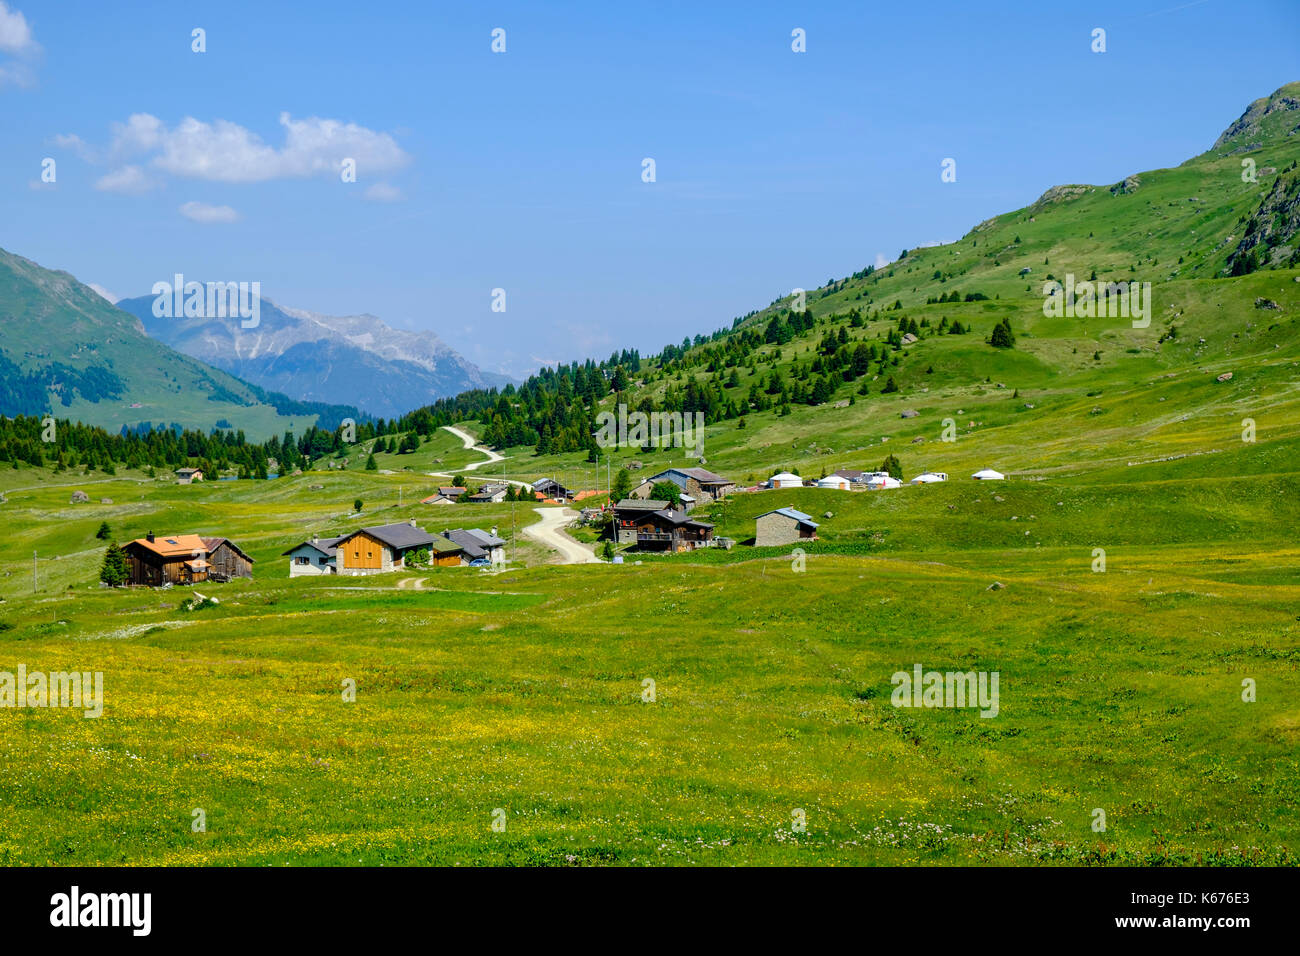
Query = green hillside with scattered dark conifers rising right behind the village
x=1074 y=396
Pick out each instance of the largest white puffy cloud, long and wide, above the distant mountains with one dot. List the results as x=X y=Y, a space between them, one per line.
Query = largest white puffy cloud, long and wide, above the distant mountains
x=224 y=152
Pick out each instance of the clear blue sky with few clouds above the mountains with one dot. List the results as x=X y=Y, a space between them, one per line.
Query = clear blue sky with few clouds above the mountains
x=522 y=171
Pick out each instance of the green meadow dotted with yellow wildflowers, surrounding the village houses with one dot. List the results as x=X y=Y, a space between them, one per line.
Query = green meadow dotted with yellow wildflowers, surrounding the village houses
x=518 y=697
